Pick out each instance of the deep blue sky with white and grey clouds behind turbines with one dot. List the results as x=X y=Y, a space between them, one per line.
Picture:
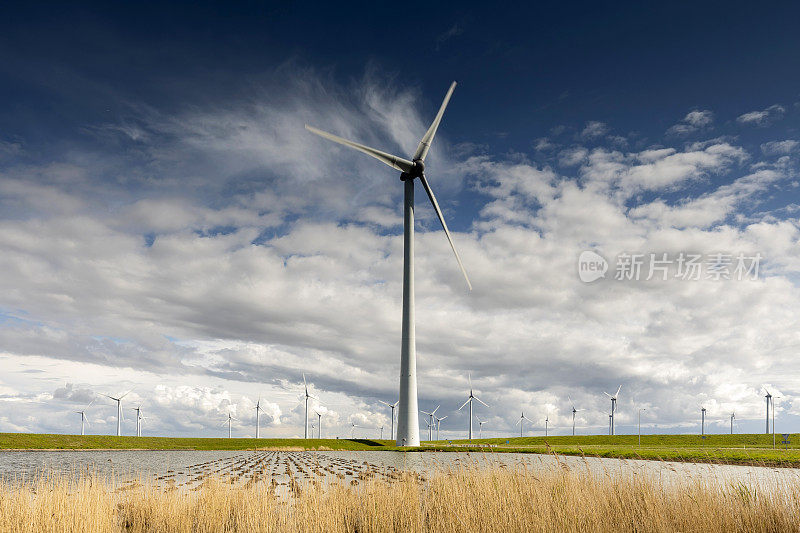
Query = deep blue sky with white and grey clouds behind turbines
x=168 y=225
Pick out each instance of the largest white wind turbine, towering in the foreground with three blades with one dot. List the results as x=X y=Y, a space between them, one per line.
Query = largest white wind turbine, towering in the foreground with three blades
x=408 y=424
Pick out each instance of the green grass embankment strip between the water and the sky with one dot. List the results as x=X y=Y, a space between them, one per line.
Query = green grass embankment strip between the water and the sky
x=741 y=449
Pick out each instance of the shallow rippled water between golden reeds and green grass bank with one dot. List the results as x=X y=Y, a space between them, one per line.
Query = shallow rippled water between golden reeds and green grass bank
x=188 y=469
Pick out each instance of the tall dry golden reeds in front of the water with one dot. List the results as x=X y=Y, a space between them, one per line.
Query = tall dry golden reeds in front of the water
x=468 y=499
